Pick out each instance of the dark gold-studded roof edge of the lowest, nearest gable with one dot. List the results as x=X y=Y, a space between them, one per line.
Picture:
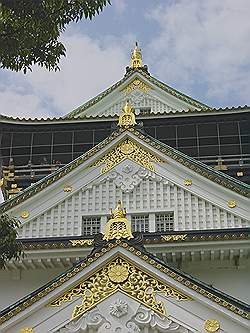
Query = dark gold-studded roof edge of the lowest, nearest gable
x=135 y=247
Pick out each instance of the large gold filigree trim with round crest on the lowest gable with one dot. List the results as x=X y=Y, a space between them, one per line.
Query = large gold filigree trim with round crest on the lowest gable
x=119 y=274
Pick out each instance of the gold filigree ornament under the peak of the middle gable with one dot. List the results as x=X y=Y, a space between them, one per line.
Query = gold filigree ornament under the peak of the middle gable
x=127 y=149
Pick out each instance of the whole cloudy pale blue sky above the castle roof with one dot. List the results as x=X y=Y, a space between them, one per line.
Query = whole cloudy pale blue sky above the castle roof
x=200 y=47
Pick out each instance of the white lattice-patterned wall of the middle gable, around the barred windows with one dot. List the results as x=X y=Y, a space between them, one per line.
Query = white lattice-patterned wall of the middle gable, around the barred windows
x=190 y=211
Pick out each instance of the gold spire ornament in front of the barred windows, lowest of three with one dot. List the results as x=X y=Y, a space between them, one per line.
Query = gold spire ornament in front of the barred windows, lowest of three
x=118 y=226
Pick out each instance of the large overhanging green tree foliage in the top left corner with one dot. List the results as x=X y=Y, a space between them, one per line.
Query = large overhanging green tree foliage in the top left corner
x=30 y=29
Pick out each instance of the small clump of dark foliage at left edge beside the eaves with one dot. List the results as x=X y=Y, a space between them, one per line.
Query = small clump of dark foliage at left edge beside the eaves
x=10 y=247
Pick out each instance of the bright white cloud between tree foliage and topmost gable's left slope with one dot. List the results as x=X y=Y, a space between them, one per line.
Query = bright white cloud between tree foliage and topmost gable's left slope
x=90 y=67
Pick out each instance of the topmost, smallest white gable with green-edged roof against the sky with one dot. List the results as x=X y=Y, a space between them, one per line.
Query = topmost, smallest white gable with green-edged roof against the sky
x=144 y=91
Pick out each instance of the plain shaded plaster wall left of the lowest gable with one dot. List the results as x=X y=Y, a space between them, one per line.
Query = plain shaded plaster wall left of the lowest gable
x=17 y=284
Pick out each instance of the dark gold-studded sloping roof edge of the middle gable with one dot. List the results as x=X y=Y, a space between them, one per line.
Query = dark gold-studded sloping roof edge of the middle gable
x=189 y=162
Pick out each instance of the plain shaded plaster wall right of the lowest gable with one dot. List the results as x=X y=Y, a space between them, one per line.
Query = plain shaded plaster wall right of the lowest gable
x=233 y=281
